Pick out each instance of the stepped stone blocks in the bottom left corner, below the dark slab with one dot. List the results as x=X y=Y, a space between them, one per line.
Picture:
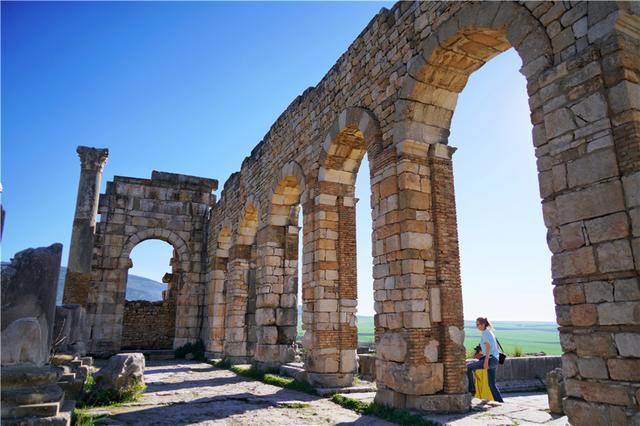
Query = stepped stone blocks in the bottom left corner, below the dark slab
x=31 y=396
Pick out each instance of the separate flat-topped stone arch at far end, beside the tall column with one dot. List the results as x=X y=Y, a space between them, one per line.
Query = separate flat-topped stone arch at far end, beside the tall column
x=168 y=207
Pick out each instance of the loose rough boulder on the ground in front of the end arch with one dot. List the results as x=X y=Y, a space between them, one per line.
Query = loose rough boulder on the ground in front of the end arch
x=121 y=372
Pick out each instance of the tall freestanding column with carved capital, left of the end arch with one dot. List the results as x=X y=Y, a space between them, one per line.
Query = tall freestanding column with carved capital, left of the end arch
x=78 y=277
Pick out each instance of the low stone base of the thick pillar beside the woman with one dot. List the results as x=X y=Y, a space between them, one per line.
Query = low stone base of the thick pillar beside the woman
x=438 y=403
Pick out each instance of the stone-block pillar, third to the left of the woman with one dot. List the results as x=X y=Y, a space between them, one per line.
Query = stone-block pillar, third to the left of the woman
x=276 y=288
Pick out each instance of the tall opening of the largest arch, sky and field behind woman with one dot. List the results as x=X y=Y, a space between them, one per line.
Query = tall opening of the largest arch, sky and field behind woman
x=504 y=258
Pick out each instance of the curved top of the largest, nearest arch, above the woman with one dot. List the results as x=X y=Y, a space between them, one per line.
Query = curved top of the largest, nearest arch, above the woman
x=452 y=52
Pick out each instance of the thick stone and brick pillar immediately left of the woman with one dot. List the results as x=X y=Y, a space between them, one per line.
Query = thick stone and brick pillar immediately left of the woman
x=410 y=284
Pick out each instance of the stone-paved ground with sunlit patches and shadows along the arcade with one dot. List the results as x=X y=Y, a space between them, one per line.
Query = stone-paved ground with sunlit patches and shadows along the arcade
x=191 y=393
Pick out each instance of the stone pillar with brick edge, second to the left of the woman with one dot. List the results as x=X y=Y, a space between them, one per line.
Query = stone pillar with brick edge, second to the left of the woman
x=330 y=289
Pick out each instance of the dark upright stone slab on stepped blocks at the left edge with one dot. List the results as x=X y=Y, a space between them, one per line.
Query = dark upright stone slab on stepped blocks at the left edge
x=31 y=387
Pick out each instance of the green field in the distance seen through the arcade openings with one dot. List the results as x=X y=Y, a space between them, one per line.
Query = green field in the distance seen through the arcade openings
x=529 y=336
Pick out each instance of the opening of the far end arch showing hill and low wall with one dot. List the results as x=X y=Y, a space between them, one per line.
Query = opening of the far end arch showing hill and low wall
x=151 y=295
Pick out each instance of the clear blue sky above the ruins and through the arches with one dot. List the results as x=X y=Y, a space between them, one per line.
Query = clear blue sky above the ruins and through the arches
x=192 y=87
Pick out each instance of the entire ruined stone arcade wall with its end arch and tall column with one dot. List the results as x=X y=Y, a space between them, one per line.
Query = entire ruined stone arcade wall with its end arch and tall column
x=391 y=96
